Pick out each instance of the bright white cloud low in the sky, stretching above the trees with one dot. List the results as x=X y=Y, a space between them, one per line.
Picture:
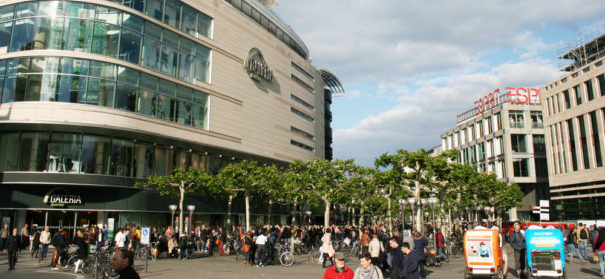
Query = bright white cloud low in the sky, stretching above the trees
x=422 y=115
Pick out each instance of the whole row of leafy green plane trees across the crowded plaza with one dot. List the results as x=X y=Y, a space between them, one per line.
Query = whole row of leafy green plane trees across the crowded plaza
x=323 y=183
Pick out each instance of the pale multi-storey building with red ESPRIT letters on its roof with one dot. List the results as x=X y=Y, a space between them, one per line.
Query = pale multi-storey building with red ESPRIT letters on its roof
x=504 y=134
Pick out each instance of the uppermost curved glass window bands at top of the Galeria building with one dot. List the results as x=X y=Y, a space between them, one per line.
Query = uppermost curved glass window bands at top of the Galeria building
x=97 y=29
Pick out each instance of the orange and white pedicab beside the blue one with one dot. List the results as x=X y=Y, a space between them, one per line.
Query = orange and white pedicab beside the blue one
x=483 y=254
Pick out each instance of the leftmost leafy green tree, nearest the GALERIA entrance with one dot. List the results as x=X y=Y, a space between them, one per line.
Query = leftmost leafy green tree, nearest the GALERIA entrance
x=177 y=185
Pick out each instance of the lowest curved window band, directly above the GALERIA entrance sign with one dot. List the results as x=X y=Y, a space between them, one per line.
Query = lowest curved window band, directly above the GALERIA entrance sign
x=59 y=152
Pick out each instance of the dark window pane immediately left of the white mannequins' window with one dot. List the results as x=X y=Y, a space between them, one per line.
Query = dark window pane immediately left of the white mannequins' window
x=33 y=154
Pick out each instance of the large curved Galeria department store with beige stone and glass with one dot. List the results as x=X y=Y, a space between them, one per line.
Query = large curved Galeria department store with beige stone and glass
x=96 y=95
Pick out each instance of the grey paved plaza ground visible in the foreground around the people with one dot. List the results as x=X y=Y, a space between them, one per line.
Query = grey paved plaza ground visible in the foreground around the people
x=227 y=267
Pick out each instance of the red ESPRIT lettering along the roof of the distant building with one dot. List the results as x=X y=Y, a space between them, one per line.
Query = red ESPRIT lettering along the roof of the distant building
x=513 y=95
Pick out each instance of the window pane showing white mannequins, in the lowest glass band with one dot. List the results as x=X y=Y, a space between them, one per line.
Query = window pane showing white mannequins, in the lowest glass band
x=64 y=154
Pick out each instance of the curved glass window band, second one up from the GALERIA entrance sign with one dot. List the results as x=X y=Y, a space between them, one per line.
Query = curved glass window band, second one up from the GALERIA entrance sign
x=71 y=80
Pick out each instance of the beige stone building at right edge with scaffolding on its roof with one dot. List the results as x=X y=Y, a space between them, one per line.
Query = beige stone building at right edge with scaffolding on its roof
x=574 y=107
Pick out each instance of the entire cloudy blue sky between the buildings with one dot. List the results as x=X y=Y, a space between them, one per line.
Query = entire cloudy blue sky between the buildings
x=409 y=67
